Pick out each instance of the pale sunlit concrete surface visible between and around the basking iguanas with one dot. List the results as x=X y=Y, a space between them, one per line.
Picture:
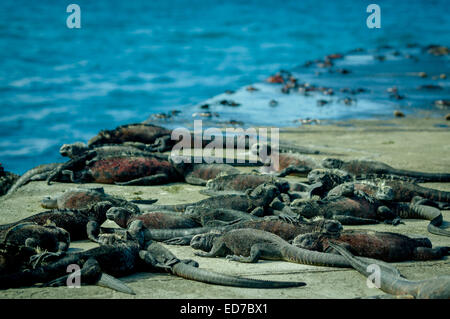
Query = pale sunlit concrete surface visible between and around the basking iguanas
x=420 y=144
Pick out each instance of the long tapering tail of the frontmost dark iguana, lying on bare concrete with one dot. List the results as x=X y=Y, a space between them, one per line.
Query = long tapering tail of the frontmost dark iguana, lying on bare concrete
x=202 y=275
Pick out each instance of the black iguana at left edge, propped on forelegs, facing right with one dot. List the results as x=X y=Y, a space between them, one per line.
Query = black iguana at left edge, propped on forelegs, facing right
x=81 y=224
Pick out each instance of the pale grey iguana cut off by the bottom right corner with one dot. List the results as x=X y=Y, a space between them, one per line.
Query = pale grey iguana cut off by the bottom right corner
x=434 y=288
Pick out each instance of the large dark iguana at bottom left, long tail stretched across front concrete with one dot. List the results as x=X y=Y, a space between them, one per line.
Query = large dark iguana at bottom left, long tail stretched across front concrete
x=124 y=258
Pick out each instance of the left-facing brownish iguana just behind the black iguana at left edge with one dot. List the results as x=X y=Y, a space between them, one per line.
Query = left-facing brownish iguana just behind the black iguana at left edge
x=83 y=198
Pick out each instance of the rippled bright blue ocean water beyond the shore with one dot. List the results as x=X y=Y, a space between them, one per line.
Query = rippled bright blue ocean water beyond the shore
x=134 y=58
